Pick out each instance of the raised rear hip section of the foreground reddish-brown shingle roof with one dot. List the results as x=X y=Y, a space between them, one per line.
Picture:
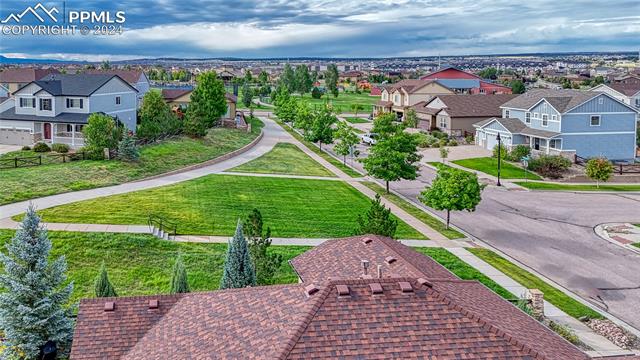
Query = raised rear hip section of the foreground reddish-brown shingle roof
x=342 y=259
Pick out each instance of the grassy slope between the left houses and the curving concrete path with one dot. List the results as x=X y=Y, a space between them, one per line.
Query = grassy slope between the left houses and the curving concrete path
x=33 y=182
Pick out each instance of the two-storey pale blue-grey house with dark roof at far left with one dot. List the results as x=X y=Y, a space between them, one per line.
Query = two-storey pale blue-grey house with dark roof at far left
x=55 y=109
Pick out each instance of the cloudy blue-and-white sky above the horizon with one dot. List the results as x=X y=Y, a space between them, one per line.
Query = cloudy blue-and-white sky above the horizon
x=327 y=28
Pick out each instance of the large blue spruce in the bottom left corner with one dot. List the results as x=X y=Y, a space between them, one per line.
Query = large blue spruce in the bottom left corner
x=32 y=303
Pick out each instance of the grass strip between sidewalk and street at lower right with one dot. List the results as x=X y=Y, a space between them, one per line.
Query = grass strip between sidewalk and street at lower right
x=556 y=297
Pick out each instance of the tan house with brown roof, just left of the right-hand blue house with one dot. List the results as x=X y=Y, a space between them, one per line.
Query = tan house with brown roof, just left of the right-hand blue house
x=456 y=114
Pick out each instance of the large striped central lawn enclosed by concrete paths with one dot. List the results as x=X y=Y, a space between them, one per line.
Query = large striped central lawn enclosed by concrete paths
x=211 y=205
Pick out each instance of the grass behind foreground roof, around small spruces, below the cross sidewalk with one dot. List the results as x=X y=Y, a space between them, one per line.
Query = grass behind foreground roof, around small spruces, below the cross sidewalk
x=141 y=264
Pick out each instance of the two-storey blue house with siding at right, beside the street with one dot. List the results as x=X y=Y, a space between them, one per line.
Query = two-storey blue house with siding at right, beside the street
x=564 y=122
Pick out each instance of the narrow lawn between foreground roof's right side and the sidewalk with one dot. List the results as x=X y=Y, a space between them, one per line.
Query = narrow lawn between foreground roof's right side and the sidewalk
x=463 y=270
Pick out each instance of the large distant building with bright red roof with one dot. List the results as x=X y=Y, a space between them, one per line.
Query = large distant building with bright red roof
x=462 y=82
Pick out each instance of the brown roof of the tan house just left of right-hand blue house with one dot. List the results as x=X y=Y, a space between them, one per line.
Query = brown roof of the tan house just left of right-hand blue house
x=474 y=105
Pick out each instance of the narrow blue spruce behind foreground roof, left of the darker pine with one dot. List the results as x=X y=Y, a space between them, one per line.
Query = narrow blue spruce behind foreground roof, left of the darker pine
x=238 y=269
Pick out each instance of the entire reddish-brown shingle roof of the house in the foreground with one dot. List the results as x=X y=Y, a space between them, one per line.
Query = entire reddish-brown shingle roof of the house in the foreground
x=406 y=306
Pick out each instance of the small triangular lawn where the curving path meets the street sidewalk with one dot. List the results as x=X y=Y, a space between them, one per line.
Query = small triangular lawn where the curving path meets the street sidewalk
x=284 y=158
